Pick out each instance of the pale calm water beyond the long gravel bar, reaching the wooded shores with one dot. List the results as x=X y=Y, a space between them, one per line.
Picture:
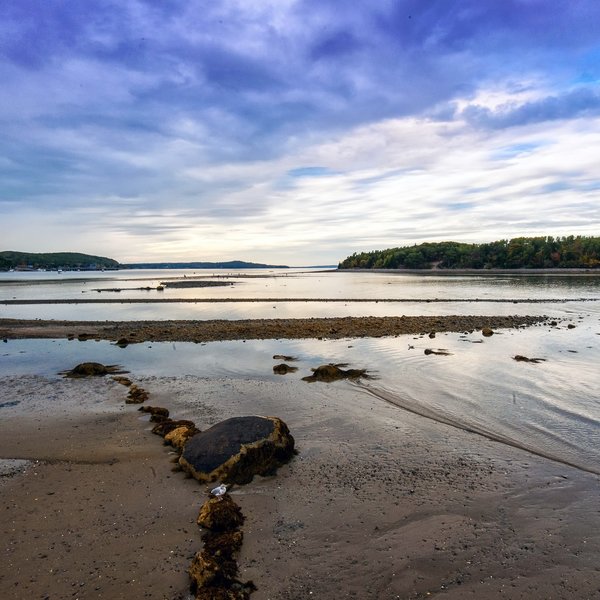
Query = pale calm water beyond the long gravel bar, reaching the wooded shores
x=285 y=293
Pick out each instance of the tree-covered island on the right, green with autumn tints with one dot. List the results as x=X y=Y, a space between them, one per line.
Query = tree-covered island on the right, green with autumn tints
x=569 y=252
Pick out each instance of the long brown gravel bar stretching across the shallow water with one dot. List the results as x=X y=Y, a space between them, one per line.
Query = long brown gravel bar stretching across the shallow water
x=215 y=330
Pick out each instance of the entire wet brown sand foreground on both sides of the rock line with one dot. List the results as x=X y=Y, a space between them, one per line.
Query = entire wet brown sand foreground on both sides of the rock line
x=379 y=502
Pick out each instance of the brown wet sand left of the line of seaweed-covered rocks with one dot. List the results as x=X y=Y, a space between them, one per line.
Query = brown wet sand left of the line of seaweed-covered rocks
x=95 y=512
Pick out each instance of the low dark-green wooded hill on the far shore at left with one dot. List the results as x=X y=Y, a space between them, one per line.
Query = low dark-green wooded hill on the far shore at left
x=54 y=260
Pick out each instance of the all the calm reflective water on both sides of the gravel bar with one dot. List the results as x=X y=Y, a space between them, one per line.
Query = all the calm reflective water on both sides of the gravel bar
x=551 y=408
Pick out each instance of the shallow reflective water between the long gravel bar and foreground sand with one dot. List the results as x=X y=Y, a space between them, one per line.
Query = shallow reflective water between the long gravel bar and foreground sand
x=550 y=408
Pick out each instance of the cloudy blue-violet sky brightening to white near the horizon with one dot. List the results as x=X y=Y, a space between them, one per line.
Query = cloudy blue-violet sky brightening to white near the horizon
x=295 y=131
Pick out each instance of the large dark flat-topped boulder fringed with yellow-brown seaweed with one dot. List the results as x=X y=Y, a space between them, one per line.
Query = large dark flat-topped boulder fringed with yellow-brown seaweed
x=236 y=449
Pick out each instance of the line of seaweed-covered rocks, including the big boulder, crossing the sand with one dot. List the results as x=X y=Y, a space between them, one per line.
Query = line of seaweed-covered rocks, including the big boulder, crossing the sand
x=232 y=451
